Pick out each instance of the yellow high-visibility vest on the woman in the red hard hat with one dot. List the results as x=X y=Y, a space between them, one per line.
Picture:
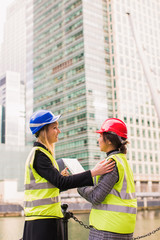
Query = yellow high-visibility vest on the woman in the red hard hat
x=117 y=213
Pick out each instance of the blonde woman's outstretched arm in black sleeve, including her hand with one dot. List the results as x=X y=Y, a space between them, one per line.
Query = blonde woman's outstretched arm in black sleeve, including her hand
x=43 y=165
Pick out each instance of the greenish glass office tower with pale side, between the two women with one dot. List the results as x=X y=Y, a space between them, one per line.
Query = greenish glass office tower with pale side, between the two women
x=69 y=73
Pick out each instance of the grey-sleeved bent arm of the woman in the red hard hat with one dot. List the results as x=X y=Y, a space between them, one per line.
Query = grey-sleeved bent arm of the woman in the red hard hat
x=97 y=193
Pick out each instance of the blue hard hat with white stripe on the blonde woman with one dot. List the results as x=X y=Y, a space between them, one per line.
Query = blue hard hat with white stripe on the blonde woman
x=40 y=119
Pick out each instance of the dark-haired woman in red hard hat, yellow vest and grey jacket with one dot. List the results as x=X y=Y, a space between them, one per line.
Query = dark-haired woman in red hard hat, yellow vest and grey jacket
x=113 y=198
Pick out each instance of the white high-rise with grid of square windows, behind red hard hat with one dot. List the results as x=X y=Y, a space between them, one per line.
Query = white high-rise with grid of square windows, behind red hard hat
x=131 y=97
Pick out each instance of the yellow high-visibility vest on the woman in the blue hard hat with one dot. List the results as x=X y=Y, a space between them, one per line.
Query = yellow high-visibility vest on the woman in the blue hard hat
x=41 y=198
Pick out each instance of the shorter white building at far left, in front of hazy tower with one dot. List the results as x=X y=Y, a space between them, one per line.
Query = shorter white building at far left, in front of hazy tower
x=12 y=122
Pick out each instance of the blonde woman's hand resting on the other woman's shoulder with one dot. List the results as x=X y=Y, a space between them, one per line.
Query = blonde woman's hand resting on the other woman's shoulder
x=103 y=167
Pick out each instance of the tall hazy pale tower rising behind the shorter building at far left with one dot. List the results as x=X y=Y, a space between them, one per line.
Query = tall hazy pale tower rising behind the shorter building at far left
x=13 y=52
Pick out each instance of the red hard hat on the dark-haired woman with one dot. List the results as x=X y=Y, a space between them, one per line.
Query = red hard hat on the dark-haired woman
x=114 y=125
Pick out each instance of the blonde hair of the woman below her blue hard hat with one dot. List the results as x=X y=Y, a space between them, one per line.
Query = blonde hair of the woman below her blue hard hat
x=42 y=138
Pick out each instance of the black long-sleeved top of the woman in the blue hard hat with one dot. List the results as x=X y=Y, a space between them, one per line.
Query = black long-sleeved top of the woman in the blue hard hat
x=44 y=167
